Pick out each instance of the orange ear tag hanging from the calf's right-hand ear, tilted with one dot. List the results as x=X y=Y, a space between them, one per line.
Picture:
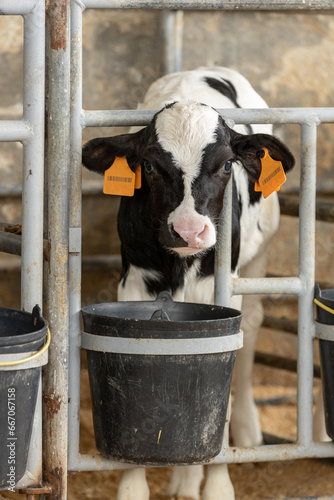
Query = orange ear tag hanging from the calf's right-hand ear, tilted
x=272 y=175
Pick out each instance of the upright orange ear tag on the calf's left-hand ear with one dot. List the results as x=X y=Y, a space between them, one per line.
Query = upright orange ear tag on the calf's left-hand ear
x=119 y=178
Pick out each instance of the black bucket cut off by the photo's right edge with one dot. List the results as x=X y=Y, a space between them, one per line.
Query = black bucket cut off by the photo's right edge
x=326 y=348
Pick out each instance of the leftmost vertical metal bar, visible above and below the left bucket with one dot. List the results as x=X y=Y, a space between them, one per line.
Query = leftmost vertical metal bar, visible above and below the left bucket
x=30 y=130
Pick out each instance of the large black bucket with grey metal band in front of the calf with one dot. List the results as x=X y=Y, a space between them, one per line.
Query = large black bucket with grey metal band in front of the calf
x=153 y=408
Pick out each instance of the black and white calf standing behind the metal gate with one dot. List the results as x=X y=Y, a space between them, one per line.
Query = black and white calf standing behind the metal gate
x=168 y=228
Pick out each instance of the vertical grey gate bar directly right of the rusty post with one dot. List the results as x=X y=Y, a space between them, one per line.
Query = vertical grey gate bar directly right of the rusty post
x=75 y=226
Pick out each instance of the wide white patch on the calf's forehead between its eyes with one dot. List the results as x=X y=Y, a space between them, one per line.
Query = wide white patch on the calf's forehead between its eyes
x=184 y=130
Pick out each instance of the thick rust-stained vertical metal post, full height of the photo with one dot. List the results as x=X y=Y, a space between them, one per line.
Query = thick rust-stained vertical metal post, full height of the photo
x=55 y=394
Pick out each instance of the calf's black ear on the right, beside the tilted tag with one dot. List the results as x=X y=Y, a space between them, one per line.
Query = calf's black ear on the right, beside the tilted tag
x=248 y=150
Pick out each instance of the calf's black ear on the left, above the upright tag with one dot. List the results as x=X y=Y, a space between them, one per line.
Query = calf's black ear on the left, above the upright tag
x=99 y=154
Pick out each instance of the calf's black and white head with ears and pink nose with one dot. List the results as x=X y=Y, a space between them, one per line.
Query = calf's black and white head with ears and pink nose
x=187 y=154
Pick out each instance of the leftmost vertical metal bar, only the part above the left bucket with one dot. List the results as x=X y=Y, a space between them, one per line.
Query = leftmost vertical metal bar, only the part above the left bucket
x=33 y=161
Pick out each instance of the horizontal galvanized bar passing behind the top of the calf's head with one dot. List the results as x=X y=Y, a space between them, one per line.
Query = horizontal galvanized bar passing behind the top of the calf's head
x=127 y=118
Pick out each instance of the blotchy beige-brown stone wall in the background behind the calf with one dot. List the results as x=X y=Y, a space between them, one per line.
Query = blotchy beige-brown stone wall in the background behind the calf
x=286 y=56
